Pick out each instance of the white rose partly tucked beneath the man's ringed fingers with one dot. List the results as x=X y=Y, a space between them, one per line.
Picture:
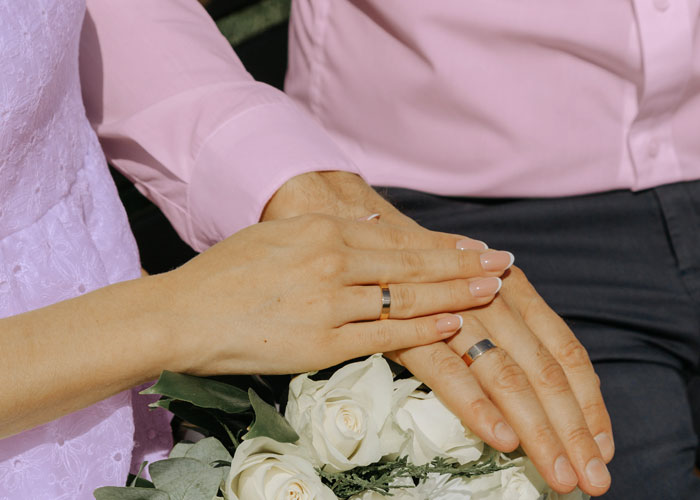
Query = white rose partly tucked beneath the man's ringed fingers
x=433 y=430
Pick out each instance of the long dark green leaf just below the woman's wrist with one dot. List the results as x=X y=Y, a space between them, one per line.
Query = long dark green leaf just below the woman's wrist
x=201 y=392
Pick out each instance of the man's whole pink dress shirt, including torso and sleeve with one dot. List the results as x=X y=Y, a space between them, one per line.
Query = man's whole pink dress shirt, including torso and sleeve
x=493 y=98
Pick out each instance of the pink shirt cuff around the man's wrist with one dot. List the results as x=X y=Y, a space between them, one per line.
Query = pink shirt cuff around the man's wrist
x=244 y=162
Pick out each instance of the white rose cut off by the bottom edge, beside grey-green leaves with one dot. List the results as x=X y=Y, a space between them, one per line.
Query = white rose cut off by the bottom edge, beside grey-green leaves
x=264 y=469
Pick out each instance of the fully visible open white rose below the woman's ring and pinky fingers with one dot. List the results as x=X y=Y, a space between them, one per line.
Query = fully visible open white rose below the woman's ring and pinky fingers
x=345 y=421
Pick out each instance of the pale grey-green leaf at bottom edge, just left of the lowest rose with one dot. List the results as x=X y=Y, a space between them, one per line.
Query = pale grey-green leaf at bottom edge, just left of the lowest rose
x=186 y=478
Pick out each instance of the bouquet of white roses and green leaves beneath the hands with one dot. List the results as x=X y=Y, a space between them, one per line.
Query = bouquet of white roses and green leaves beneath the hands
x=360 y=434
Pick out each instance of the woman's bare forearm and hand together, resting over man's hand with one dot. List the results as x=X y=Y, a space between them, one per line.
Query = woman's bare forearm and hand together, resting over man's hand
x=278 y=297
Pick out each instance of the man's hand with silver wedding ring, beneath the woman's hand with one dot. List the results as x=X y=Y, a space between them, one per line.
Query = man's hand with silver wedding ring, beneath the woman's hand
x=538 y=388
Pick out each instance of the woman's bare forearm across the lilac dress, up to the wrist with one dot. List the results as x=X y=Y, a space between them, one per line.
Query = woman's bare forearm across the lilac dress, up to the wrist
x=67 y=356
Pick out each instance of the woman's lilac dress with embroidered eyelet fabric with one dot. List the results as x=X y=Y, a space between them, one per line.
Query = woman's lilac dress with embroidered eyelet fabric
x=63 y=232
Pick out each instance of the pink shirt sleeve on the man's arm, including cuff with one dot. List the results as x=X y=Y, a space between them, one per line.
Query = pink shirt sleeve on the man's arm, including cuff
x=178 y=114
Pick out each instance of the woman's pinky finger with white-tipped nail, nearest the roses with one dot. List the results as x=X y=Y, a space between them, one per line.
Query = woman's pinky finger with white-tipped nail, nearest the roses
x=360 y=339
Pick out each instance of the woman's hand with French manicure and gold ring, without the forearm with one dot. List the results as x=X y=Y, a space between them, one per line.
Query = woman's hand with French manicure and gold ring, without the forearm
x=302 y=294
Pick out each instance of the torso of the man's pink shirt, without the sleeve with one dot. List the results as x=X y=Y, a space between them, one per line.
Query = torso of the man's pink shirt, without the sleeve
x=500 y=98
